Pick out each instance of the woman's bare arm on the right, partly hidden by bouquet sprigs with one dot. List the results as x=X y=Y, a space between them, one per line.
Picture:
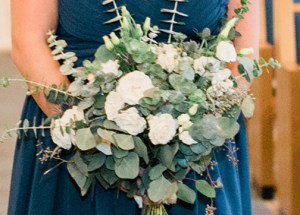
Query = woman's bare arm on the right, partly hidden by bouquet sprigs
x=249 y=28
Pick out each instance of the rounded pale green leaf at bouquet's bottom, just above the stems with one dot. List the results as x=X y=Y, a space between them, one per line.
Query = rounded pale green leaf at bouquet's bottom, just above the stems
x=158 y=188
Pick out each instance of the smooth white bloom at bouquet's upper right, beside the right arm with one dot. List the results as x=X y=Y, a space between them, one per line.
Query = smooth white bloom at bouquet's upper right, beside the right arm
x=226 y=52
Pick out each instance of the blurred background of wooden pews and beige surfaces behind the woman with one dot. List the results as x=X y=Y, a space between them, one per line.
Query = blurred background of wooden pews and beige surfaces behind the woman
x=273 y=133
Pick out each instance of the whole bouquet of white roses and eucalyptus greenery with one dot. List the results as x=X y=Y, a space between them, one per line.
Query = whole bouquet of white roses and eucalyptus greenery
x=143 y=114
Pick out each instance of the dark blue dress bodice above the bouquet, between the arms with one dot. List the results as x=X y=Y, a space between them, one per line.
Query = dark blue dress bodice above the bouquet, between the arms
x=81 y=21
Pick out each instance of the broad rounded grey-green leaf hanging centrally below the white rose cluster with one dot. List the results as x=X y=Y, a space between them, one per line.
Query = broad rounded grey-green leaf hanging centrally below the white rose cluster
x=129 y=167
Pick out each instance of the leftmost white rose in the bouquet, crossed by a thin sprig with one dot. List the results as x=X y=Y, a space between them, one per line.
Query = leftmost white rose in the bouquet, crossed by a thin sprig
x=64 y=140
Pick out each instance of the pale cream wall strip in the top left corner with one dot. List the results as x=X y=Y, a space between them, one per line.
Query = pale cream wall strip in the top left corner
x=5 y=41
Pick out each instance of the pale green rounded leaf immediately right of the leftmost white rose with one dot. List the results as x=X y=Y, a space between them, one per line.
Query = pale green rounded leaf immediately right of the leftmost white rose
x=85 y=139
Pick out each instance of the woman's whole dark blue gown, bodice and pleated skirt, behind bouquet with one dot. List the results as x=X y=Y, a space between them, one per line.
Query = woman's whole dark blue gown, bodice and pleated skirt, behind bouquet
x=81 y=25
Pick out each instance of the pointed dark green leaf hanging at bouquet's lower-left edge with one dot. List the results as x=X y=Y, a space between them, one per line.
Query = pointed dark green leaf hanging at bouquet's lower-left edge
x=78 y=170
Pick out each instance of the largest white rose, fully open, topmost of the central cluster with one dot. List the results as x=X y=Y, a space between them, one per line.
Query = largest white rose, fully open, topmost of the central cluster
x=132 y=86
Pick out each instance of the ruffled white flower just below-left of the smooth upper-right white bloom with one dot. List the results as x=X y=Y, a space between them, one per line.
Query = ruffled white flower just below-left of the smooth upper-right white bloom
x=204 y=62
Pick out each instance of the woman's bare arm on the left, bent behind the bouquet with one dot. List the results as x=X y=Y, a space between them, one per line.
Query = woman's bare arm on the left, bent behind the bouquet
x=31 y=20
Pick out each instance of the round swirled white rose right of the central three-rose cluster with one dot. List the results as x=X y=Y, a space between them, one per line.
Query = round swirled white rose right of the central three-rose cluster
x=162 y=129
